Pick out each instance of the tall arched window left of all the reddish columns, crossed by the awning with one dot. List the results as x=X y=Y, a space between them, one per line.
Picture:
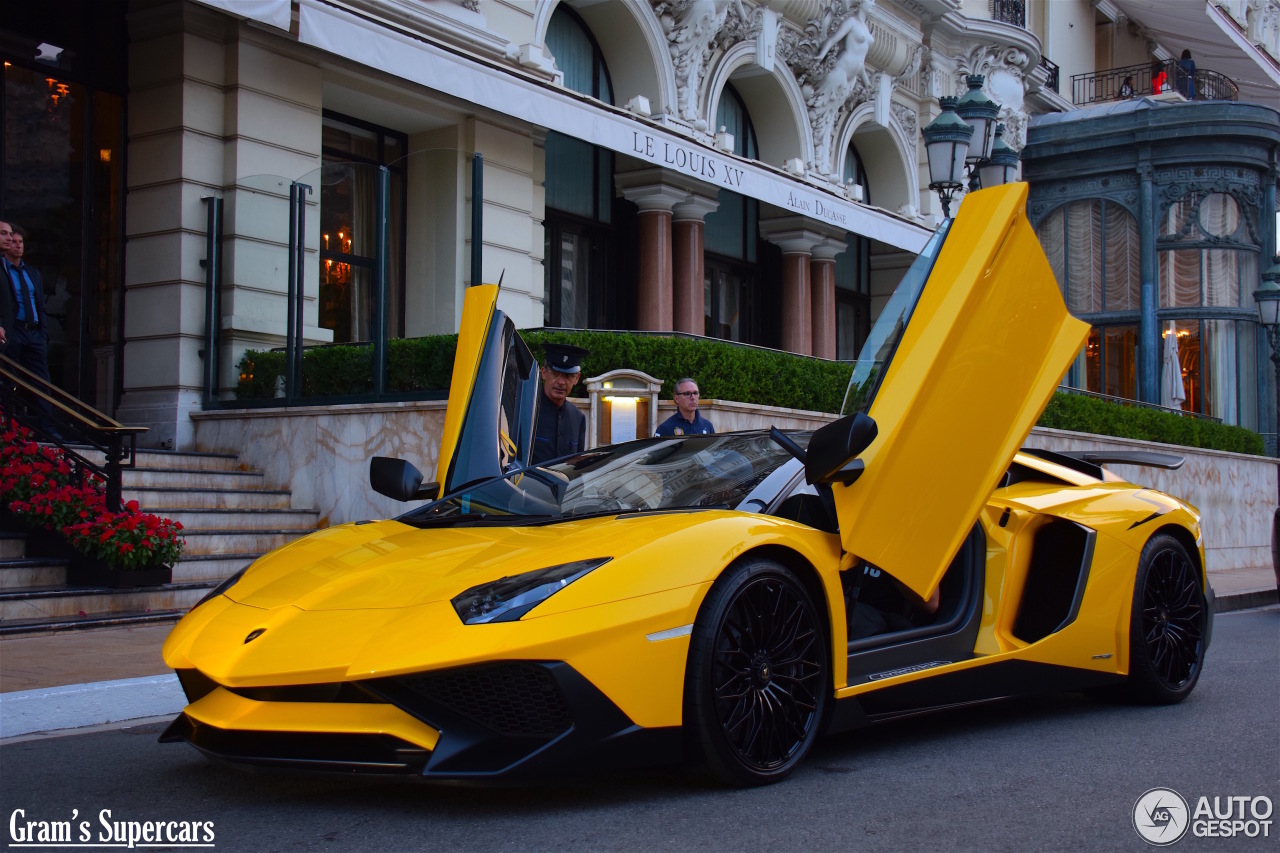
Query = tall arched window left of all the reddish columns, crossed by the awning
x=578 y=235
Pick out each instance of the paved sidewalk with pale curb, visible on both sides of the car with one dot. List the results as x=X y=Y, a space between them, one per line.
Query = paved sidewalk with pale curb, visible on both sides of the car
x=83 y=678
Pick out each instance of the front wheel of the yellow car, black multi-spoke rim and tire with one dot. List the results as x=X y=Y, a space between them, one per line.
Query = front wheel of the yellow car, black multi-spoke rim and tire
x=758 y=681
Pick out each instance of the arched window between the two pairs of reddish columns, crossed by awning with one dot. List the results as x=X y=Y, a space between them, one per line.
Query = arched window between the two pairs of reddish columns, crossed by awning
x=732 y=284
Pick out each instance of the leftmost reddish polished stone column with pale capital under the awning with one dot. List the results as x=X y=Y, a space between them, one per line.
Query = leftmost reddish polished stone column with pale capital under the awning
x=656 y=195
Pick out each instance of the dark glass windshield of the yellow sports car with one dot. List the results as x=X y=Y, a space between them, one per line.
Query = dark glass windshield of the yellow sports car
x=696 y=472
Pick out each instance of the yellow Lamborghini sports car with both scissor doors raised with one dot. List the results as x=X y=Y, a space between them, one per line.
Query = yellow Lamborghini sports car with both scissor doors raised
x=717 y=600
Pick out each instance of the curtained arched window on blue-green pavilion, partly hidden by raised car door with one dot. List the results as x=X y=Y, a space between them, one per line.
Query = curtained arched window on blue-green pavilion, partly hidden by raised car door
x=1095 y=252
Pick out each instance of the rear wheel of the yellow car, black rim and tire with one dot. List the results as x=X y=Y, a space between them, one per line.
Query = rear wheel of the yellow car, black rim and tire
x=1168 y=627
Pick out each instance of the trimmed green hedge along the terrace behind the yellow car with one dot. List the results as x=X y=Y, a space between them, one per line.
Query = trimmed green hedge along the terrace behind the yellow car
x=724 y=372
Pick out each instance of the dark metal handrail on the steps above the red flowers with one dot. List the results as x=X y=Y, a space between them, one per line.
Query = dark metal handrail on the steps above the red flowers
x=58 y=418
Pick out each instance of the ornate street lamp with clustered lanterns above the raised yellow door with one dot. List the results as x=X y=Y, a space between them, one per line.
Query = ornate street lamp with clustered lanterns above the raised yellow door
x=967 y=136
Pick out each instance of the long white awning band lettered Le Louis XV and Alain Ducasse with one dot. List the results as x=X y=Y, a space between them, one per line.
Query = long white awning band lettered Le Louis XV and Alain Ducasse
x=380 y=47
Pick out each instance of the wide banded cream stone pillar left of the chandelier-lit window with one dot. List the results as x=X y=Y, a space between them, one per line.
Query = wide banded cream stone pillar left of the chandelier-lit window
x=212 y=101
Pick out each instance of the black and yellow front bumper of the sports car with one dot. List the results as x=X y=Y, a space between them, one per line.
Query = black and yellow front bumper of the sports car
x=506 y=719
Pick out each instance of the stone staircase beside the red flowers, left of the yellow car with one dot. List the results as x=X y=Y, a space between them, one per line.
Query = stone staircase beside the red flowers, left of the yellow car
x=230 y=518
